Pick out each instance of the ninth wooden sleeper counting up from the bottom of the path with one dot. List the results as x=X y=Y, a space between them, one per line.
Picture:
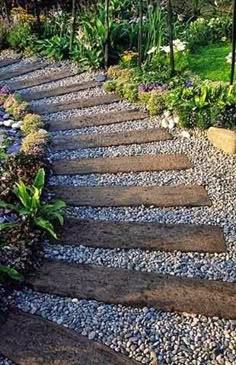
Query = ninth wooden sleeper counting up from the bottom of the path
x=60 y=90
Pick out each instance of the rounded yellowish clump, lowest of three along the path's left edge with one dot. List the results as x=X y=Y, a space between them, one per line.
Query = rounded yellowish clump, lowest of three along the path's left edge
x=35 y=142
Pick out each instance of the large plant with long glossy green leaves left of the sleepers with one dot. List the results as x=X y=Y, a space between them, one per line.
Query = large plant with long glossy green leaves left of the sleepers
x=31 y=207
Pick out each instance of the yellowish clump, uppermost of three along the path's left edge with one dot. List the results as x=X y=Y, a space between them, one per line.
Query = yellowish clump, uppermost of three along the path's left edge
x=15 y=106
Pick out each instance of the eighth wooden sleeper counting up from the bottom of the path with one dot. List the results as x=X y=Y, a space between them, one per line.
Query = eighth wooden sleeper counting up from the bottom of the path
x=75 y=104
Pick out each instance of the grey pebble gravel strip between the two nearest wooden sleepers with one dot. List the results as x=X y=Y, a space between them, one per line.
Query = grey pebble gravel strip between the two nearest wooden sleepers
x=144 y=334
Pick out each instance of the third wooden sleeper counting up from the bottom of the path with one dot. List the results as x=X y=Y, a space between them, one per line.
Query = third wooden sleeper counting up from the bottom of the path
x=147 y=236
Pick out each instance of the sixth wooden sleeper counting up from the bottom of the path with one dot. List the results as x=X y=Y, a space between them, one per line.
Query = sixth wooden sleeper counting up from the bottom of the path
x=110 y=139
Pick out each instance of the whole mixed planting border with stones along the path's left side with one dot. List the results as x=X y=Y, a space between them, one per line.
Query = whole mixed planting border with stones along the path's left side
x=25 y=216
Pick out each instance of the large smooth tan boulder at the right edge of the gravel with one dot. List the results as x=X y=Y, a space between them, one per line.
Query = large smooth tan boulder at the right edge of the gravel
x=223 y=139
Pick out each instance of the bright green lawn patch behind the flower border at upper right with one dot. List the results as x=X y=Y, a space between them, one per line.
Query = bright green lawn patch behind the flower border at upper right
x=209 y=62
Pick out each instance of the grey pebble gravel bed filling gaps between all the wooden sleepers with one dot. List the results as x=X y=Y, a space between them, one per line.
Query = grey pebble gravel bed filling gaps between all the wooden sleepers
x=142 y=333
